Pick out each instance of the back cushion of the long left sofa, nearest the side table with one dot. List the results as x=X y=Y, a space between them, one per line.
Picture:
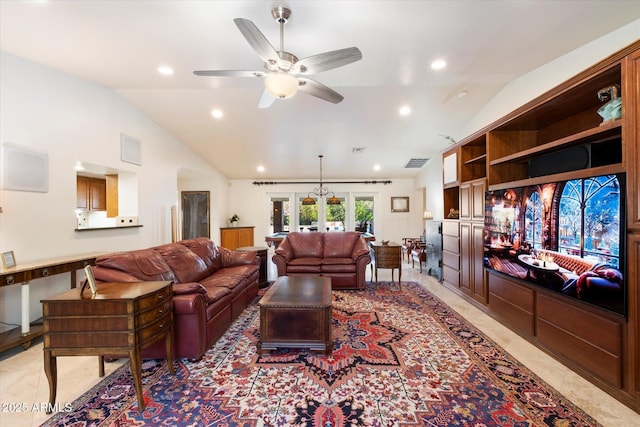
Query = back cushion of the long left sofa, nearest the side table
x=144 y=264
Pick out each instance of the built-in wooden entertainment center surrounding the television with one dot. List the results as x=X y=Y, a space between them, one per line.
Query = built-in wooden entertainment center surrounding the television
x=601 y=345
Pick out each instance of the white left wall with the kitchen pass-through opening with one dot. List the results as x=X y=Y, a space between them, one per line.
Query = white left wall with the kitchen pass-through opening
x=71 y=119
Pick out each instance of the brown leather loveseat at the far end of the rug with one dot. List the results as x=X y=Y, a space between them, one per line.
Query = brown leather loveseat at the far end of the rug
x=343 y=256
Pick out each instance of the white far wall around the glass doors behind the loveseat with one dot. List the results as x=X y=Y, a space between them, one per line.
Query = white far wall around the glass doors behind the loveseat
x=251 y=203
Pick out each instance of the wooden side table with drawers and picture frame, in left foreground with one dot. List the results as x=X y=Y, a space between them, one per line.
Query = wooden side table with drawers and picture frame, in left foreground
x=122 y=318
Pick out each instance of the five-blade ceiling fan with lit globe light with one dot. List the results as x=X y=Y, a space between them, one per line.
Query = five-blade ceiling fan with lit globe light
x=284 y=73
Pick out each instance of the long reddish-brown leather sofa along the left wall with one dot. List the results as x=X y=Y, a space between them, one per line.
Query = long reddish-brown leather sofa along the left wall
x=211 y=287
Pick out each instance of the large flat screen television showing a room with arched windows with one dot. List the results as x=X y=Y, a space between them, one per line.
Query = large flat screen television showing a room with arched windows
x=565 y=236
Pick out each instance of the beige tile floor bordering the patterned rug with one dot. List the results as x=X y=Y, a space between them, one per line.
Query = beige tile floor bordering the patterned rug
x=24 y=386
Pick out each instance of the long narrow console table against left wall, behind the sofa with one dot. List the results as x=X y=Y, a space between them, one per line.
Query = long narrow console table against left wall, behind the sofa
x=22 y=274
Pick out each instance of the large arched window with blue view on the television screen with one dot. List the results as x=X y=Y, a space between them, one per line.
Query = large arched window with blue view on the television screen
x=589 y=220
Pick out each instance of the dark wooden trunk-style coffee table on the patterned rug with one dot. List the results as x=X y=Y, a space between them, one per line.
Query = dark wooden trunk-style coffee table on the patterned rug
x=295 y=312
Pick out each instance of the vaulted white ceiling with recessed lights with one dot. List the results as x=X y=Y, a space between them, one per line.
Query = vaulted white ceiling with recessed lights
x=120 y=44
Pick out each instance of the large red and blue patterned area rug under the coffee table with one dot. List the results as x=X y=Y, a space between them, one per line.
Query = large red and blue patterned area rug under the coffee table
x=401 y=358
